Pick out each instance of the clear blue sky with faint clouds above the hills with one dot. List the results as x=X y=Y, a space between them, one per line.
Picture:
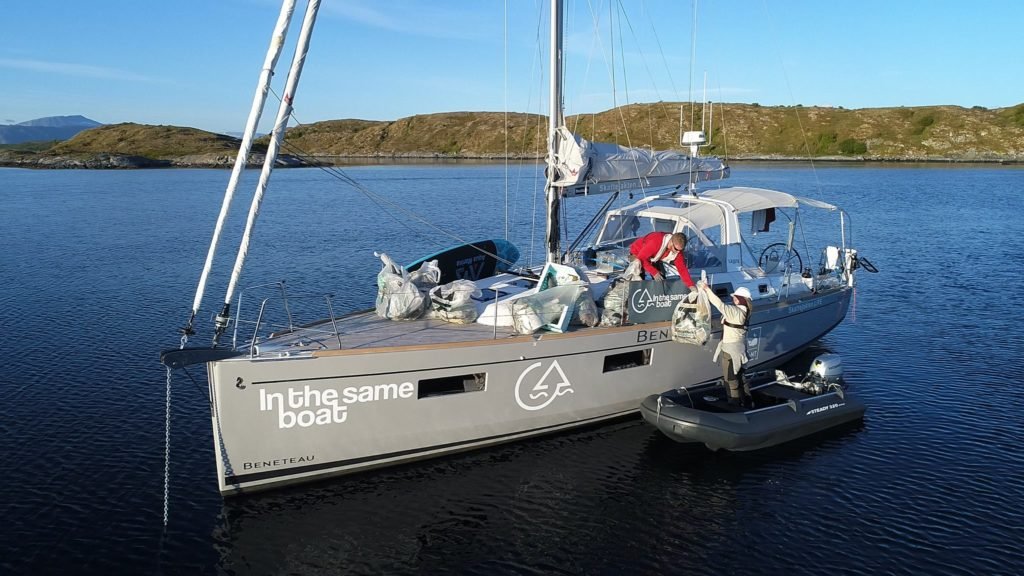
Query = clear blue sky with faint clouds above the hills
x=195 y=63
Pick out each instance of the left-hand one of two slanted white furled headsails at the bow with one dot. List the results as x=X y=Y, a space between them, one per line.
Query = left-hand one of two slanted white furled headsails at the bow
x=263 y=89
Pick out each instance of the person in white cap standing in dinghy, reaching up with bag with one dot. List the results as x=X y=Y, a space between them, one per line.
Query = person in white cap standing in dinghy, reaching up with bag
x=733 y=349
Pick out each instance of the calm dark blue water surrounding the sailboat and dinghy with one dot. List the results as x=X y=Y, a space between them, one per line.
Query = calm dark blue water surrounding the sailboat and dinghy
x=100 y=269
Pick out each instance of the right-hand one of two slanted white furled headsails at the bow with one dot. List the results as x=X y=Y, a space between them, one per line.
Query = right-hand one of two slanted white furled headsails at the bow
x=284 y=112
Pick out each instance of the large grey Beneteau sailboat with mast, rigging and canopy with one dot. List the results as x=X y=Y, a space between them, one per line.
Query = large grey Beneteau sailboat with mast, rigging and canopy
x=357 y=392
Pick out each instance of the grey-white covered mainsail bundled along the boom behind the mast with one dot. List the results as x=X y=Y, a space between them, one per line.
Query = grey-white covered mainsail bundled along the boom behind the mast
x=586 y=168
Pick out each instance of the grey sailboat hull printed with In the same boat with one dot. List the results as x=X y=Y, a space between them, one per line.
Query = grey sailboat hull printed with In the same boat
x=283 y=421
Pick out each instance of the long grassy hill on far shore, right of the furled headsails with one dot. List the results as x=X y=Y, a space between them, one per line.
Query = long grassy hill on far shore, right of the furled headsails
x=741 y=131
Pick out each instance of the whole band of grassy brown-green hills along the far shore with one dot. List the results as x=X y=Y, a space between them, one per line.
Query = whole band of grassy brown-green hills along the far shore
x=740 y=132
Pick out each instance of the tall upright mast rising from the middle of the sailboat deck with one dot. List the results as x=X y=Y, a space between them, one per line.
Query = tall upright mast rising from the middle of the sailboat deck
x=556 y=119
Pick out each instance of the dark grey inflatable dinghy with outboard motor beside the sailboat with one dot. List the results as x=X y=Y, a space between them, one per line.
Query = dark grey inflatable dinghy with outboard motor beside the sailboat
x=784 y=409
